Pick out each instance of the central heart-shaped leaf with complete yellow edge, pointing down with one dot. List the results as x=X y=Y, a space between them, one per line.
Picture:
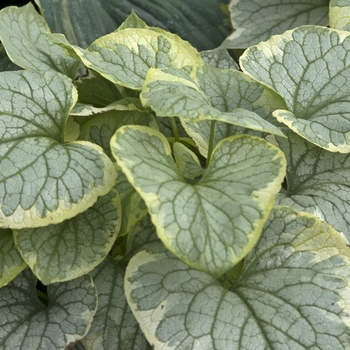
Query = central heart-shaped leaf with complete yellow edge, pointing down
x=213 y=224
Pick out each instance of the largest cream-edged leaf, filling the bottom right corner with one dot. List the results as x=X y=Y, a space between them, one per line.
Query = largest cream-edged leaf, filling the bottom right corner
x=293 y=293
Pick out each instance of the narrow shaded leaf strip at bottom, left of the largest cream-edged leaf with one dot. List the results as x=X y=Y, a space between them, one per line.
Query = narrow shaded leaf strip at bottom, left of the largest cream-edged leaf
x=114 y=326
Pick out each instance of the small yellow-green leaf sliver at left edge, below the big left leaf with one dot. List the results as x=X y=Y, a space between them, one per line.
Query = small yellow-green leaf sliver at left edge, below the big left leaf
x=11 y=262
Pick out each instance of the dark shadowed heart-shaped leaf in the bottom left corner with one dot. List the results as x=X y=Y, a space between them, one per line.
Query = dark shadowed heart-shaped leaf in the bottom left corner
x=26 y=323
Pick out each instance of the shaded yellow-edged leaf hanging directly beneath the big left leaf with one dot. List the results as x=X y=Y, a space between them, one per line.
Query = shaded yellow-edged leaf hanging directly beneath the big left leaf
x=65 y=251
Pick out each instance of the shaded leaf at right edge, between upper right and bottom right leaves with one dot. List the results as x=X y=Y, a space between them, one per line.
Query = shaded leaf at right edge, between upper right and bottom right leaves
x=318 y=181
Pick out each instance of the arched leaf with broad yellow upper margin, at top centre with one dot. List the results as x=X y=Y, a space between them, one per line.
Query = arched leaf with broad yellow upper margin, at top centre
x=125 y=56
